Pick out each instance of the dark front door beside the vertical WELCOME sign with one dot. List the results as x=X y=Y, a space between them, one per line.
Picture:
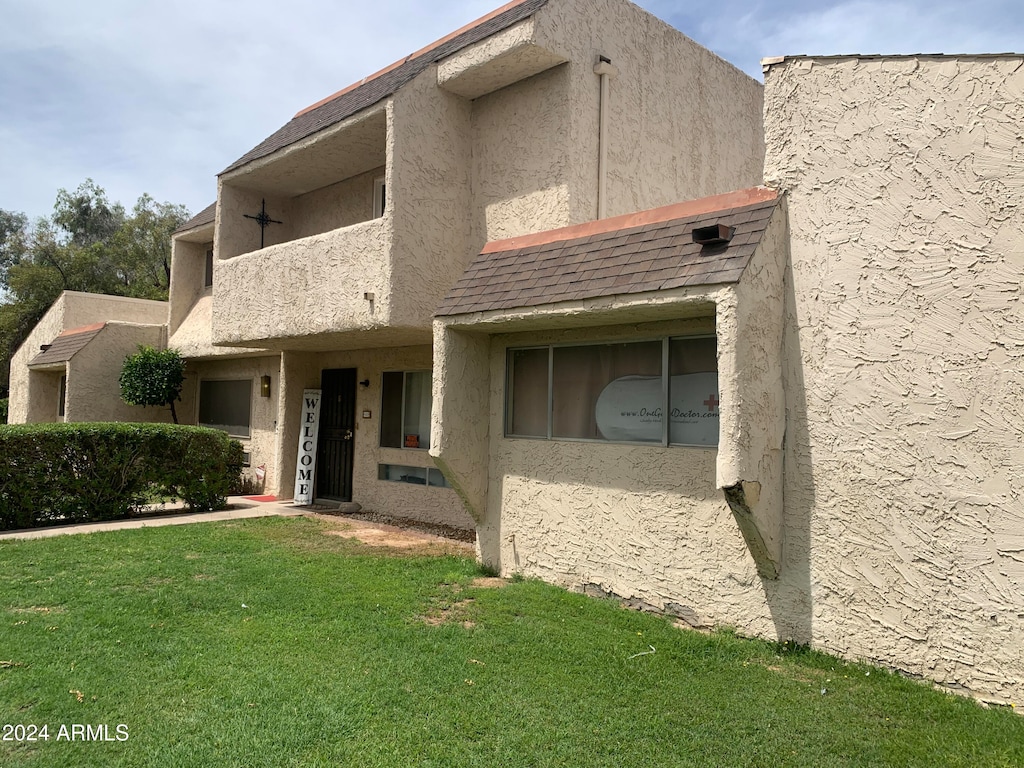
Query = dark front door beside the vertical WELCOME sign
x=334 y=452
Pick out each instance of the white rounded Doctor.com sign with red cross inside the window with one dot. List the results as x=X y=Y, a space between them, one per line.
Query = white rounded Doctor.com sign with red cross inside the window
x=631 y=409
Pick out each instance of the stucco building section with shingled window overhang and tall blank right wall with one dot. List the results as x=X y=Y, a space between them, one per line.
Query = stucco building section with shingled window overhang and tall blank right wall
x=864 y=491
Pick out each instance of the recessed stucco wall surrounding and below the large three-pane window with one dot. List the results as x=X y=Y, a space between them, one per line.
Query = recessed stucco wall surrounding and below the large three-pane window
x=643 y=523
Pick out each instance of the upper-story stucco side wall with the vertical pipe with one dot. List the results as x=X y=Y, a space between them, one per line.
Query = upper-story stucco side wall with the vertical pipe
x=684 y=123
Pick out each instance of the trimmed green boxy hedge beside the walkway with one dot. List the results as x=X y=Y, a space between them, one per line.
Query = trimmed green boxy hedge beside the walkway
x=60 y=474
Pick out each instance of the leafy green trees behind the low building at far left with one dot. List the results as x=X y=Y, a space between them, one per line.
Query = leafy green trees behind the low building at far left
x=89 y=244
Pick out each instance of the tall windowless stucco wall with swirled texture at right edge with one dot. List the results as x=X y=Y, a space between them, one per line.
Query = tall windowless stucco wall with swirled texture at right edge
x=906 y=352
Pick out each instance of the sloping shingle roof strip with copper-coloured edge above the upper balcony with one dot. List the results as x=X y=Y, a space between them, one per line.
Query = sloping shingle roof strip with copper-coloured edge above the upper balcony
x=369 y=92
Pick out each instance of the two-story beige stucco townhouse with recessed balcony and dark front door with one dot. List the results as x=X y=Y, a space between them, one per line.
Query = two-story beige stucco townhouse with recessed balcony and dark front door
x=544 y=114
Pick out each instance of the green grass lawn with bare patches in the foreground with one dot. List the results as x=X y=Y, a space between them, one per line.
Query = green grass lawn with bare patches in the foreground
x=270 y=644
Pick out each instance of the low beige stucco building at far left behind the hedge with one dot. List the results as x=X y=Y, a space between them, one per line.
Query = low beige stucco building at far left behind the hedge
x=64 y=370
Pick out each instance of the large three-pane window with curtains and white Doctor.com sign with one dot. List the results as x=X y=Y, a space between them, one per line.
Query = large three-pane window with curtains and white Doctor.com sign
x=663 y=392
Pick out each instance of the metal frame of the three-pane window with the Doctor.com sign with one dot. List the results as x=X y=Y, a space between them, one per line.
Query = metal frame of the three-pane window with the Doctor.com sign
x=666 y=343
